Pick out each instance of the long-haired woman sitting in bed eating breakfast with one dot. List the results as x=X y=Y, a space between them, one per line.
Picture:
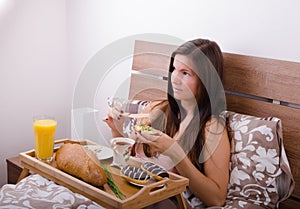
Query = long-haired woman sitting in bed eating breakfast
x=193 y=134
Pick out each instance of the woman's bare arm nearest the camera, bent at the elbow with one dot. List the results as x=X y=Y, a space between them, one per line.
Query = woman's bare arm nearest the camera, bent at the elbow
x=211 y=186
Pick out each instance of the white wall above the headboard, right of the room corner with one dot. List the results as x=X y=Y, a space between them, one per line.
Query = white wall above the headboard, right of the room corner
x=260 y=28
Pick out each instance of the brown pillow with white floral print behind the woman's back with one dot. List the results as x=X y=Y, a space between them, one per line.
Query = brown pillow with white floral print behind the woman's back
x=258 y=162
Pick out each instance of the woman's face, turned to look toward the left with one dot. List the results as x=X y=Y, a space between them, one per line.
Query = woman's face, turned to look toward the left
x=184 y=81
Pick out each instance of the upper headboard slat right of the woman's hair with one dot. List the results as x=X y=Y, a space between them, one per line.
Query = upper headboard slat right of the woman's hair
x=269 y=78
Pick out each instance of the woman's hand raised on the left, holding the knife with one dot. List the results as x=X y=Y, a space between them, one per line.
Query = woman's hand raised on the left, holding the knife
x=115 y=121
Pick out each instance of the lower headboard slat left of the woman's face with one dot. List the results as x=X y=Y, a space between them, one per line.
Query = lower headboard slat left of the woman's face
x=144 y=88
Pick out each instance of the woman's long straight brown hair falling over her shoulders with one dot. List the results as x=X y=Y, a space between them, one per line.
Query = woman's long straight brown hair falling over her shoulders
x=207 y=60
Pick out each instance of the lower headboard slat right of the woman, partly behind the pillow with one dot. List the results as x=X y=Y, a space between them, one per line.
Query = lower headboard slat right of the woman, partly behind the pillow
x=290 y=118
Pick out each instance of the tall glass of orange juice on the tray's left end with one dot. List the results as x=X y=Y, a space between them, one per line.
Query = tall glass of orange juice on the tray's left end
x=44 y=134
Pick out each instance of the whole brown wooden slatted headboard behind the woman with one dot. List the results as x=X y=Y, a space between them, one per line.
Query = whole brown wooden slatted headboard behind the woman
x=255 y=86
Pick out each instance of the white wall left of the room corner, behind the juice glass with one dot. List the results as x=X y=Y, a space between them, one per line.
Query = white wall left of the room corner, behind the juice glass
x=33 y=76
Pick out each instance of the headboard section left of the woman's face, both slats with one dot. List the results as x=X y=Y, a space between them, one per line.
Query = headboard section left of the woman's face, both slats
x=153 y=59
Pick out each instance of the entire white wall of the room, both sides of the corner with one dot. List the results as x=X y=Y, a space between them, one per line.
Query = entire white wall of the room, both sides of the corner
x=44 y=41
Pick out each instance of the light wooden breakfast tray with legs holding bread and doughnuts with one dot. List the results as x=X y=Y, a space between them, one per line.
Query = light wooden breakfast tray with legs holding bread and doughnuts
x=135 y=197
